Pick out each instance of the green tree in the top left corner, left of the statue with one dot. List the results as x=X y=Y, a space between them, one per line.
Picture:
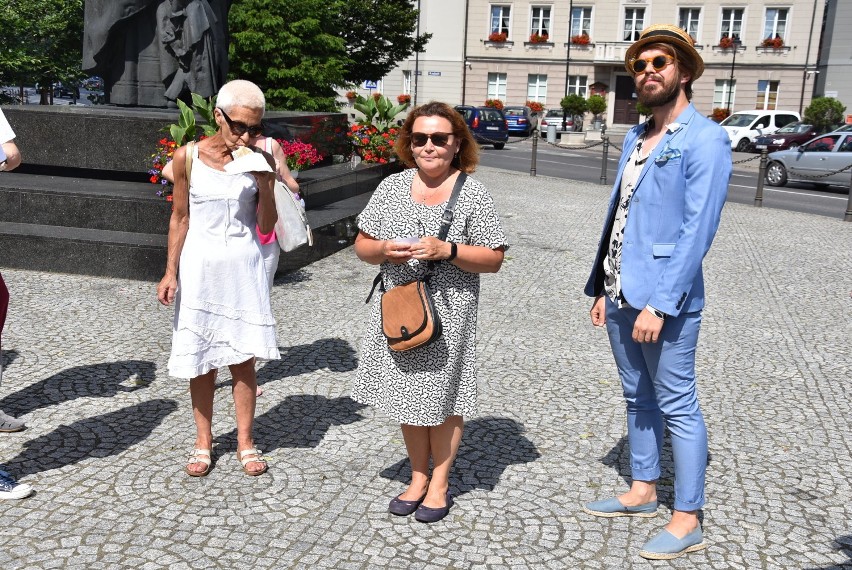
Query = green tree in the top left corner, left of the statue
x=42 y=42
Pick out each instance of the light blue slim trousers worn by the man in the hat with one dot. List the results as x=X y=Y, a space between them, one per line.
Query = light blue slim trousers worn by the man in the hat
x=658 y=380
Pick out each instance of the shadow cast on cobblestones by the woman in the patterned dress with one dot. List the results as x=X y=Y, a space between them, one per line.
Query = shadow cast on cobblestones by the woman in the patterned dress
x=488 y=447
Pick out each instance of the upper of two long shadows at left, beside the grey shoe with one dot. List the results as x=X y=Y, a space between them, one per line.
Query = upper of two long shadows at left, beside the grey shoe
x=102 y=380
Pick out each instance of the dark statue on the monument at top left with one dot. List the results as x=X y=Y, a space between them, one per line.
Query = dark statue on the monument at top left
x=152 y=52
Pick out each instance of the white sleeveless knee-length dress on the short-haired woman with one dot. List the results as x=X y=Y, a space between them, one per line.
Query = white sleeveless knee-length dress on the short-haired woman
x=222 y=310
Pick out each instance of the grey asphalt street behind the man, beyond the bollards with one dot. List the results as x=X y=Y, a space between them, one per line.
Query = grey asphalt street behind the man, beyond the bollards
x=585 y=165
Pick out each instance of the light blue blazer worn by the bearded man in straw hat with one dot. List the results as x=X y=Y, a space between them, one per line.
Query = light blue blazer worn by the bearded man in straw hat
x=673 y=217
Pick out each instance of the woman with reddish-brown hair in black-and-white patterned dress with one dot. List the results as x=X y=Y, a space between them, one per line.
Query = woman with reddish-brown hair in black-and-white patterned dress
x=429 y=389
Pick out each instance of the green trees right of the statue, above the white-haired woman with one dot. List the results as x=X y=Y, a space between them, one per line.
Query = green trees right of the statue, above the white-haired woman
x=301 y=51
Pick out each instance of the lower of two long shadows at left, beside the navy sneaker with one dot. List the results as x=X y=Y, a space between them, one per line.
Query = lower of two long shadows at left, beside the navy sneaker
x=101 y=436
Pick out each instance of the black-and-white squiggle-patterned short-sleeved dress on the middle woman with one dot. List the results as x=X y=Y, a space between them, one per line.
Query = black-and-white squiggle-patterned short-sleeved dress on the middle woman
x=426 y=385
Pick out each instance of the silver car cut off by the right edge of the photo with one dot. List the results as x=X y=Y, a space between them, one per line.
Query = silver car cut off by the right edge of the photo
x=821 y=155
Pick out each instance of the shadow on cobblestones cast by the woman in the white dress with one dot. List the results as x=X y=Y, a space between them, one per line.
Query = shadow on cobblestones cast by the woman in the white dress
x=298 y=421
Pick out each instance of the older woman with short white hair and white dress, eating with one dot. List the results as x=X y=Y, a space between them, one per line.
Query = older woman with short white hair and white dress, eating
x=215 y=273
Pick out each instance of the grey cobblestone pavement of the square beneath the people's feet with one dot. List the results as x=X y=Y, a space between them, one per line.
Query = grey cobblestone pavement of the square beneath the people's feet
x=109 y=430
